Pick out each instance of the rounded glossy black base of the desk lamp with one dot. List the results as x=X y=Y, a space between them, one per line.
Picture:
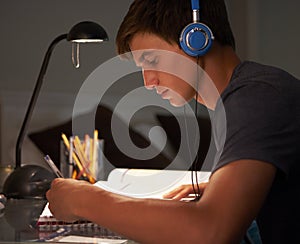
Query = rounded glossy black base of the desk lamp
x=29 y=181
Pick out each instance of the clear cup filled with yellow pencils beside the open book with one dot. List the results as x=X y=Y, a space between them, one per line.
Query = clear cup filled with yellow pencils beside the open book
x=82 y=158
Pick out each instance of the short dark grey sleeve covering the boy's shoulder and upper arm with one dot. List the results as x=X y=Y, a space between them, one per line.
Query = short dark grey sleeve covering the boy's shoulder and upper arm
x=258 y=126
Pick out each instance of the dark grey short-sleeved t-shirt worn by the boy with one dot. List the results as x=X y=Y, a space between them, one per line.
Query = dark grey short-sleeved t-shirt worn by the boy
x=262 y=107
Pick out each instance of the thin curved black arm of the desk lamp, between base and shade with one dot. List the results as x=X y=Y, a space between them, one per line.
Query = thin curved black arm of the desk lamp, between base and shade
x=34 y=98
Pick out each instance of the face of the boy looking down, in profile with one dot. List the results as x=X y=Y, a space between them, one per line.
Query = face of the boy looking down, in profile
x=166 y=68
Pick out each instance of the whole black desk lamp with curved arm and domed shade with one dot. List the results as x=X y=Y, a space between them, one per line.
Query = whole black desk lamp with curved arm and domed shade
x=32 y=181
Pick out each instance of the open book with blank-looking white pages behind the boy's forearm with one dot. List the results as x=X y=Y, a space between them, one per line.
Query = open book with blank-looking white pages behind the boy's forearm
x=148 y=183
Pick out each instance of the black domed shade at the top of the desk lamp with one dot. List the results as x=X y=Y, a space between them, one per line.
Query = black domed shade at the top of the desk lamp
x=87 y=31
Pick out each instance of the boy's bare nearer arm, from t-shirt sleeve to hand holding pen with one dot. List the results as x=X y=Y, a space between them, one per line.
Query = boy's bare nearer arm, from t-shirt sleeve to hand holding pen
x=230 y=202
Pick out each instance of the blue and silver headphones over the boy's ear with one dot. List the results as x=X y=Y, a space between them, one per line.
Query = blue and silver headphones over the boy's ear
x=196 y=38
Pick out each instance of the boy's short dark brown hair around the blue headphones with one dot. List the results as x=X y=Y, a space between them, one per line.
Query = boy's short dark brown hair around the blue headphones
x=167 y=18
